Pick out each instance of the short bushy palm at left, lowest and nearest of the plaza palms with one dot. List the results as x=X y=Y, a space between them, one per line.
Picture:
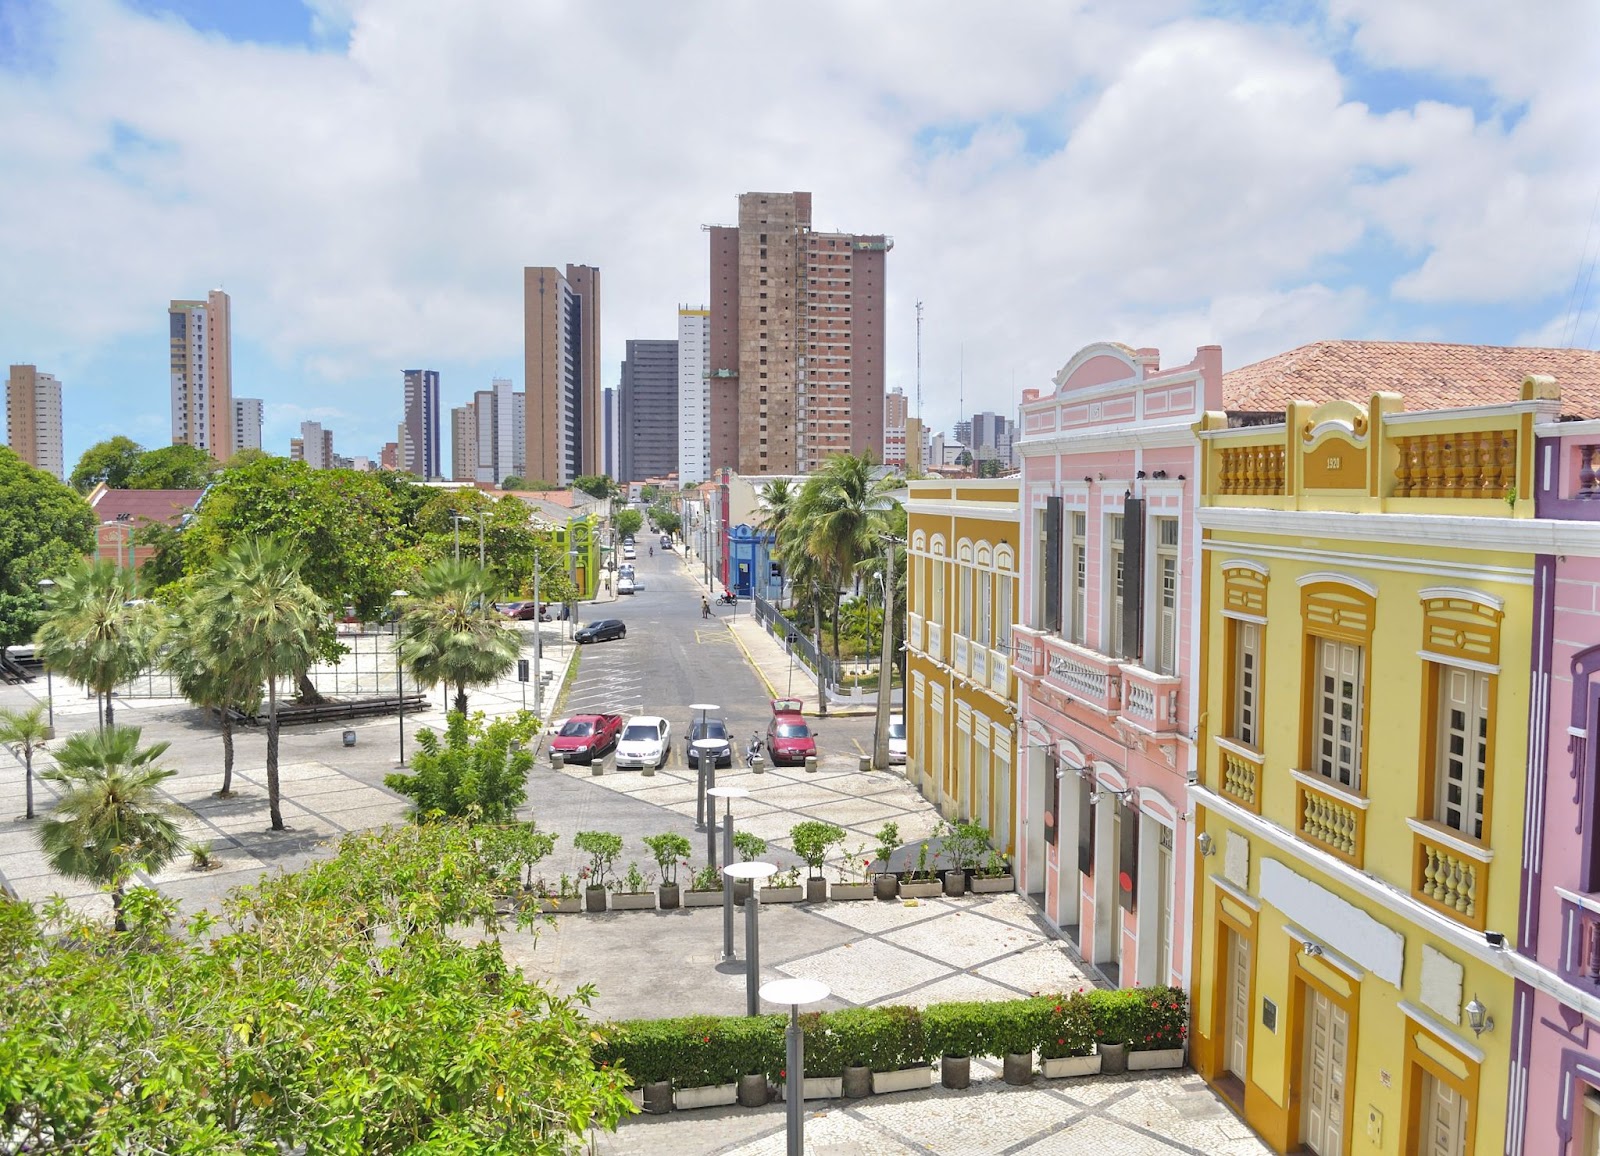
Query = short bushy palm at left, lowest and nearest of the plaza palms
x=111 y=817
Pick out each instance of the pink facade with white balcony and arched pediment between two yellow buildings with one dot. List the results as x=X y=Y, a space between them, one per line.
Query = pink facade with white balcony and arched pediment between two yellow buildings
x=1106 y=651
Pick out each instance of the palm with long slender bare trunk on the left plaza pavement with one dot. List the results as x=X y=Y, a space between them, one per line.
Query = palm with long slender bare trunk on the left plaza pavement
x=255 y=609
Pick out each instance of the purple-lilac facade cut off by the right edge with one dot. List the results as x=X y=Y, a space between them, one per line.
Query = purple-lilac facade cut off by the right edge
x=1554 y=1102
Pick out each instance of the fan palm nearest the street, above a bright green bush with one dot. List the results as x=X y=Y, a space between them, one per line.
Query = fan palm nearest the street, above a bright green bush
x=452 y=632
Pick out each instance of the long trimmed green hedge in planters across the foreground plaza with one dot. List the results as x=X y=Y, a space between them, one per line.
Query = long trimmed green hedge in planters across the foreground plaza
x=702 y=1051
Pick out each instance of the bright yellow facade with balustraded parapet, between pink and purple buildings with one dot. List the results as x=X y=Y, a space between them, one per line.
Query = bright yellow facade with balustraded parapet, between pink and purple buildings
x=1364 y=734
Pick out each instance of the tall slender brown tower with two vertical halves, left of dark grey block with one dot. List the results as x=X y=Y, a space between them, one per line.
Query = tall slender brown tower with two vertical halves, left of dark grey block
x=562 y=363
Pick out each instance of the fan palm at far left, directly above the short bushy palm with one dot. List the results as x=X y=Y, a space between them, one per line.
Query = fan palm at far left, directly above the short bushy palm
x=95 y=632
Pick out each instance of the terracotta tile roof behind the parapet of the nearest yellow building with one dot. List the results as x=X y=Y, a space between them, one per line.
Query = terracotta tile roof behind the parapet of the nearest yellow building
x=1430 y=375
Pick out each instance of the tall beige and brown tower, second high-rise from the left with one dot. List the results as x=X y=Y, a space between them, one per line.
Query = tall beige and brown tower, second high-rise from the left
x=202 y=374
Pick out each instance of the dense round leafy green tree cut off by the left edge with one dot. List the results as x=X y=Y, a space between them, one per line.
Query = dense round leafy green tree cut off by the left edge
x=44 y=529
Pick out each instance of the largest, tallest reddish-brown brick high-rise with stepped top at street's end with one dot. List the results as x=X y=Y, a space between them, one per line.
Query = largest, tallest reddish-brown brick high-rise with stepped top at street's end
x=796 y=339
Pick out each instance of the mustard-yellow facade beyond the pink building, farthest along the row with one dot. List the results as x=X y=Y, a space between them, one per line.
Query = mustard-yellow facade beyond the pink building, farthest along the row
x=962 y=596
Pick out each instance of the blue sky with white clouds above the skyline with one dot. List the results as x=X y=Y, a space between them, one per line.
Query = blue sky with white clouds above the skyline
x=369 y=179
